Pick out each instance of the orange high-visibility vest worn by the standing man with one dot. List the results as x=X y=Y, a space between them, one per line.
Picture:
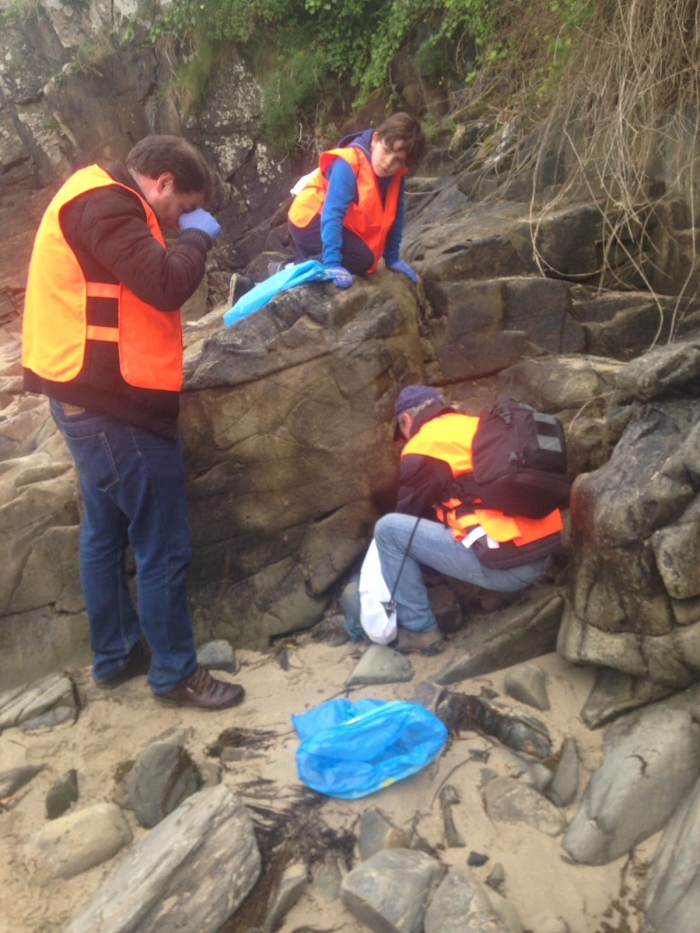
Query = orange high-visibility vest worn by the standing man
x=56 y=312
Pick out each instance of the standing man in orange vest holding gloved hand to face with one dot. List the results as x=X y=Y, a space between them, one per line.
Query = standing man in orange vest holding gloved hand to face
x=103 y=339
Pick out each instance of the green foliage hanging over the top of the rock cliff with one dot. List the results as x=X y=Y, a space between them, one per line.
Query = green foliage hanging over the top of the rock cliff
x=316 y=42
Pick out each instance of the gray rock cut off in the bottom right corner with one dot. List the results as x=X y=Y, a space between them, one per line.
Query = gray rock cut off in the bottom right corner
x=672 y=896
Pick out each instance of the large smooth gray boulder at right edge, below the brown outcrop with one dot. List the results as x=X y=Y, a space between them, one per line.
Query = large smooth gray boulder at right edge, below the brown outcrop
x=651 y=761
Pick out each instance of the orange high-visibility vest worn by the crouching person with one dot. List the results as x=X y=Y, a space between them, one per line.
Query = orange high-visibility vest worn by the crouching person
x=449 y=438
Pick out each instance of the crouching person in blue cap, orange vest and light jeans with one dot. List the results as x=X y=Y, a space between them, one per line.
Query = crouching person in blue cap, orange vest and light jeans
x=433 y=527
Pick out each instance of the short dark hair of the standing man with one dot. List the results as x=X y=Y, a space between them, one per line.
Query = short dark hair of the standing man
x=156 y=155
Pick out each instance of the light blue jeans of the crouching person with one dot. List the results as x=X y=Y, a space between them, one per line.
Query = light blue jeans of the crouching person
x=436 y=547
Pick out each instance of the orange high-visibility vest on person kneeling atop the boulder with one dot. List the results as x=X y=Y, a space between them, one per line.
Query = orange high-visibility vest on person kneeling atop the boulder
x=369 y=218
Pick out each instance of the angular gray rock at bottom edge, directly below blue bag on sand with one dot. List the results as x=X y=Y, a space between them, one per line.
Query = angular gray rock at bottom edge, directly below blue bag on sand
x=389 y=892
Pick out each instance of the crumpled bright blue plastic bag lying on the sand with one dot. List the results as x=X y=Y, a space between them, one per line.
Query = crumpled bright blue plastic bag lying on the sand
x=350 y=750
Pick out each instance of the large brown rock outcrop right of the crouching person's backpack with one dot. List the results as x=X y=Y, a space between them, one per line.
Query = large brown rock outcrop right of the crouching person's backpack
x=635 y=601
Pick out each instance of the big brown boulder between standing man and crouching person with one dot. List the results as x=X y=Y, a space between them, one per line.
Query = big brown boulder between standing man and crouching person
x=286 y=429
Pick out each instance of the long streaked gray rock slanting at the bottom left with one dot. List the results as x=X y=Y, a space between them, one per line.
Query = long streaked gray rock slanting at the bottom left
x=191 y=872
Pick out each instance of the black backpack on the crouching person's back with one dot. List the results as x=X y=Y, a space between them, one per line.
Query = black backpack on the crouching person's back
x=519 y=463
